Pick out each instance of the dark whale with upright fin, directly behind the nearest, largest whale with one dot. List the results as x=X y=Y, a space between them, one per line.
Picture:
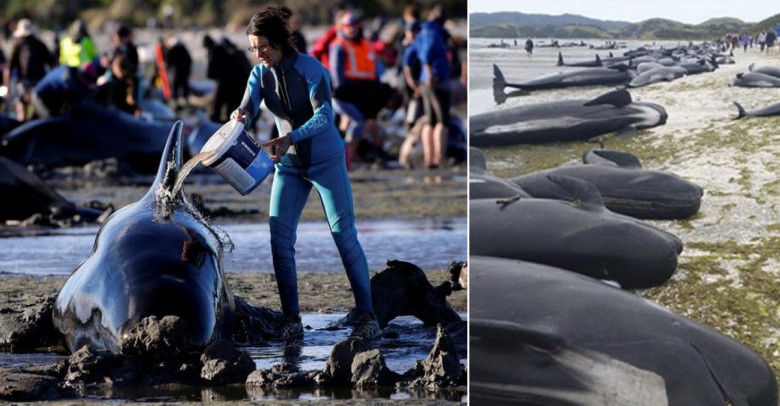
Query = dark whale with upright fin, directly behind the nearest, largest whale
x=581 y=236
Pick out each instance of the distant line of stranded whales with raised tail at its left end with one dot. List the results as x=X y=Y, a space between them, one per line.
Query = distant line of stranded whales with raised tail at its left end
x=635 y=68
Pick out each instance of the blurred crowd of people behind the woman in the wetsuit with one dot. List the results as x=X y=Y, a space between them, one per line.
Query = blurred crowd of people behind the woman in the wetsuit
x=406 y=63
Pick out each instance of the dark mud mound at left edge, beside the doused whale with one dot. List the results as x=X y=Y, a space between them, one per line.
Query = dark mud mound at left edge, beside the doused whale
x=23 y=329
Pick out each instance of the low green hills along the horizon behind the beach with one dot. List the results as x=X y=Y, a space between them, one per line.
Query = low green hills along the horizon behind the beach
x=520 y=25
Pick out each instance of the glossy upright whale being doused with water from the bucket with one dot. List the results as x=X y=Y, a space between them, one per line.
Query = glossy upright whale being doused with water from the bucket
x=154 y=257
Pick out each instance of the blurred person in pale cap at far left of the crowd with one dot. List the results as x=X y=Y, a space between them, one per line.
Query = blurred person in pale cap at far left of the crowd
x=30 y=60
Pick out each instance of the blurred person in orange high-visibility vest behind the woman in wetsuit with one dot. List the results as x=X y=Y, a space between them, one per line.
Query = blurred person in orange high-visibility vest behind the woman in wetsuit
x=358 y=94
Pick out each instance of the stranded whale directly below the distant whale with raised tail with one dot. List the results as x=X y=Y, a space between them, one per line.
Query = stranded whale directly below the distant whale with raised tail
x=565 y=120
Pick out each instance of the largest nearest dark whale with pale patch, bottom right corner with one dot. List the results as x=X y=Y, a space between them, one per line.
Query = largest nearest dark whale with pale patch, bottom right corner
x=540 y=335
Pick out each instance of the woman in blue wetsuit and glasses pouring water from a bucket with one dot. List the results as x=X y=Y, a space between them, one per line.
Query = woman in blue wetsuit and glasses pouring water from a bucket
x=309 y=152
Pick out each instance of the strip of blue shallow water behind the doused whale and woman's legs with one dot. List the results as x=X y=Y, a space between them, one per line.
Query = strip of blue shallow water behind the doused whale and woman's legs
x=430 y=244
